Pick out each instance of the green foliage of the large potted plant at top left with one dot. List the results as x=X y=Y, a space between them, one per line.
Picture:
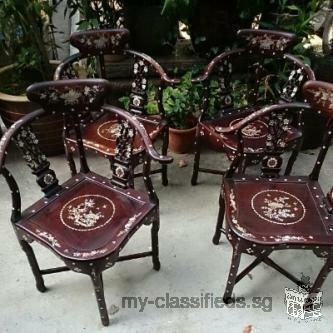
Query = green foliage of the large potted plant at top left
x=24 y=35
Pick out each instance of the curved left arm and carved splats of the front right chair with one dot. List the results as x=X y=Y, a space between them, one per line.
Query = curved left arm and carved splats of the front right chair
x=283 y=123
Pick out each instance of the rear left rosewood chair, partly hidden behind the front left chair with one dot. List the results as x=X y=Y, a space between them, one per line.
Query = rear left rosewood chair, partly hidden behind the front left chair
x=96 y=47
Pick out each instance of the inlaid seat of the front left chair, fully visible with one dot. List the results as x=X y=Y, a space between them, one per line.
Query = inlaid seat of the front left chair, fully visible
x=88 y=219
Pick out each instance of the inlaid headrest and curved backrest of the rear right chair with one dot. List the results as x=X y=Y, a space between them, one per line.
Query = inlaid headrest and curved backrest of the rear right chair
x=260 y=73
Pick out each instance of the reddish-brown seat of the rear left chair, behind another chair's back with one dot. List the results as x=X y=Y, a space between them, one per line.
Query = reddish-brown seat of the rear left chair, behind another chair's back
x=101 y=134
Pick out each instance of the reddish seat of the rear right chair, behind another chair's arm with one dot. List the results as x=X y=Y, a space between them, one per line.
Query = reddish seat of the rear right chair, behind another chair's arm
x=254 y=134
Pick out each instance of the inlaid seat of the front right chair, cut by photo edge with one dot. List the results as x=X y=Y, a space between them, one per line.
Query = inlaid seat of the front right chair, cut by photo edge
x=289 y=210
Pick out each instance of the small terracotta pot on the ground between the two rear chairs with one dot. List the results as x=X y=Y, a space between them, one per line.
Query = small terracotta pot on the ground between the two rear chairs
x=181 y=141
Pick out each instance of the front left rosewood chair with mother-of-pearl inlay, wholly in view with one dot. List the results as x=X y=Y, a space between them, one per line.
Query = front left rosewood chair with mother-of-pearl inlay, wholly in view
x=87 y=220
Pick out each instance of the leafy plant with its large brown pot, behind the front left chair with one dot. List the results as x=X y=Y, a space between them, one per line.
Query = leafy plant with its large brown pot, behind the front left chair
x=24 y=38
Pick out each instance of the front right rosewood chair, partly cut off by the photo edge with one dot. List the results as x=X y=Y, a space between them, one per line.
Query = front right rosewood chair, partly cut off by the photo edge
x=270 y=212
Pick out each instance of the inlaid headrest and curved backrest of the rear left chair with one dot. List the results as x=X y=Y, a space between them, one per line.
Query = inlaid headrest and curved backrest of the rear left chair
x=142 y=71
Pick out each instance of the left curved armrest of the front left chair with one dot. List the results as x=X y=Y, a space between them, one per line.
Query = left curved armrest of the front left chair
x=12 y=130
